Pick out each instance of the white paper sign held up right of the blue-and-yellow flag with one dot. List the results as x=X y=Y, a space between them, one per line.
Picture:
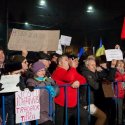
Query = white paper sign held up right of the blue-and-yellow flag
x=114 y=54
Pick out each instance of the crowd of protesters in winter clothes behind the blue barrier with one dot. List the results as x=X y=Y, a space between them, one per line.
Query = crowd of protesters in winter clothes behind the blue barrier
x=53 y=70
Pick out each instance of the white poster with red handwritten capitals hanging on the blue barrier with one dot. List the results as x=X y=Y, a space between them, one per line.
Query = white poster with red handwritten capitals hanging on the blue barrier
x=27 y=105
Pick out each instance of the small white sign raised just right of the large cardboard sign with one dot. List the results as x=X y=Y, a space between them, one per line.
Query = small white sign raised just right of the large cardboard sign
x=65 y=40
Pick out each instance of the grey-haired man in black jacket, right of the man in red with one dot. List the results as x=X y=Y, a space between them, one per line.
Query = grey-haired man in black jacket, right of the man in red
x=89 y=72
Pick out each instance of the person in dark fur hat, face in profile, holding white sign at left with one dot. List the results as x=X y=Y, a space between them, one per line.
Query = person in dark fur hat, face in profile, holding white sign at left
x=18 y=65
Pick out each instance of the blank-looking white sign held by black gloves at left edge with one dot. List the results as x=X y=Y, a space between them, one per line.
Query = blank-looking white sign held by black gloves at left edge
x=9 y=83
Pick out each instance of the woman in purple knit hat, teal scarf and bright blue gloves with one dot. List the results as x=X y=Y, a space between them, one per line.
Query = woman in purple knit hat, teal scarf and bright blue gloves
x=40 y=80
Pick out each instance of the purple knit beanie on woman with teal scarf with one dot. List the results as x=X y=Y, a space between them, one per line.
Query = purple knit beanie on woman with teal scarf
x=37 y=66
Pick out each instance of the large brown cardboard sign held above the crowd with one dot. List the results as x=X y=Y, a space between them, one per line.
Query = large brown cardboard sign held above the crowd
x=34 y=40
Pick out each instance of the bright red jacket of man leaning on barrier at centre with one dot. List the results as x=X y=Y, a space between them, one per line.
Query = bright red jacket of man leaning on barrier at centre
x=62 y=76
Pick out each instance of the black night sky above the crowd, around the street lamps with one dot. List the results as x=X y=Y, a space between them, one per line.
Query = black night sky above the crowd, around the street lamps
x=69 y=16
